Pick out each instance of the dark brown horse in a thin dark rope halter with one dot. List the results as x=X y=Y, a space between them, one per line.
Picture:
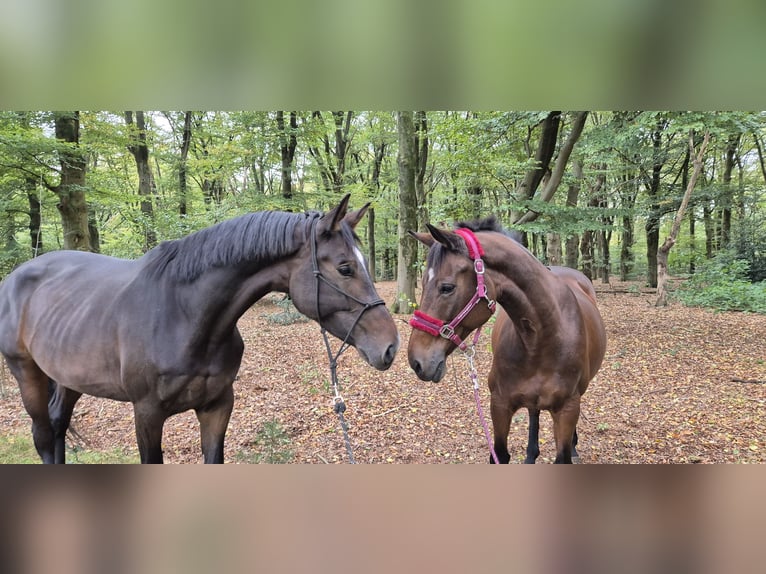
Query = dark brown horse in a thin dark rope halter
x=161 y=331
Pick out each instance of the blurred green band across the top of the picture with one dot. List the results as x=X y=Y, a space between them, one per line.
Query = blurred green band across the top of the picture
x=397 y=54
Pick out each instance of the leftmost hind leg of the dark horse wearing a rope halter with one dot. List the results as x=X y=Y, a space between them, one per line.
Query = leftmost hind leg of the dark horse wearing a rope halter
x=33 y=385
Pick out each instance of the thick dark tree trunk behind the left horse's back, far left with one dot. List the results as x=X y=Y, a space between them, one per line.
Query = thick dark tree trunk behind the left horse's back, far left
x=71 y=188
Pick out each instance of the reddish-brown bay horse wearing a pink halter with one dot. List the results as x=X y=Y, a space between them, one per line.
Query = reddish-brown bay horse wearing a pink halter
x=548 y=340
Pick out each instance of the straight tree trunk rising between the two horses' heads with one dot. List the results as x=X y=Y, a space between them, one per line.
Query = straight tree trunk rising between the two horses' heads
x=406 y=275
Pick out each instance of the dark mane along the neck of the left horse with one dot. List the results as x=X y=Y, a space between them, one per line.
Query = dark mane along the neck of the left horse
x=261 y=238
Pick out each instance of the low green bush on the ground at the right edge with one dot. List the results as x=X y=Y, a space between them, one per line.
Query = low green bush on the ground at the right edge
x=722 y=284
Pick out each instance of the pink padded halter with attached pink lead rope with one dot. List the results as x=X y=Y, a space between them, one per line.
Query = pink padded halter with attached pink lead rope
x=438 y=328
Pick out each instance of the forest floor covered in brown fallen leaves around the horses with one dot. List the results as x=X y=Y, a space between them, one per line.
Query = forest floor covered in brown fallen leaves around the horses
x=677 y=385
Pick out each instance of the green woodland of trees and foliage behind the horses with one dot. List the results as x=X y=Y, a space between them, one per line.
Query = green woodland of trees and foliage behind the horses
x=592 y=190
